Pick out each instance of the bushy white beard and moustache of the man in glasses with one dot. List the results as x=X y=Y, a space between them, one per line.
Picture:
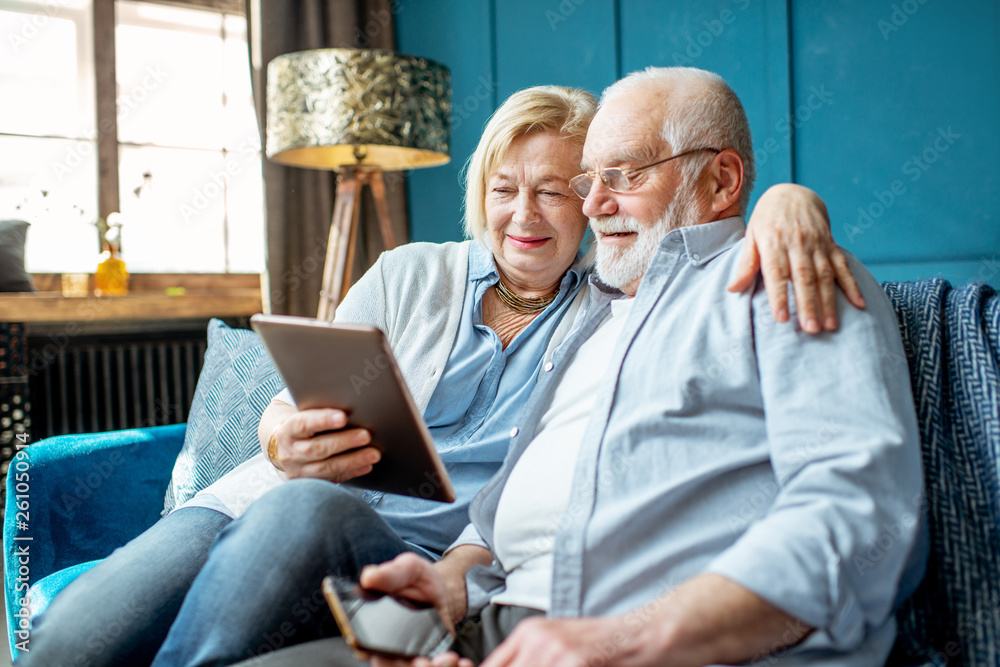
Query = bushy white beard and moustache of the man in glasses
x=619 y=267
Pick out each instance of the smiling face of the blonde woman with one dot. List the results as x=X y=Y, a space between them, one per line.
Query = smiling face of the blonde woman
x=534 y=220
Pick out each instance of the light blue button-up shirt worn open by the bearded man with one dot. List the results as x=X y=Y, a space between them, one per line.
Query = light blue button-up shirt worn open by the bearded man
x=725 y=442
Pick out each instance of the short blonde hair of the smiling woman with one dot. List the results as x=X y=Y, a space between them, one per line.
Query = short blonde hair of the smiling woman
x=565 y=111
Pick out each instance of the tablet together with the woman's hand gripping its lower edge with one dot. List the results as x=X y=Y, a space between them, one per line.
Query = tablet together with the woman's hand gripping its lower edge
x=353 y=410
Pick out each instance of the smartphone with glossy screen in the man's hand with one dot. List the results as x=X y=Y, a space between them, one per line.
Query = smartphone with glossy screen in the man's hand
x=381 y=624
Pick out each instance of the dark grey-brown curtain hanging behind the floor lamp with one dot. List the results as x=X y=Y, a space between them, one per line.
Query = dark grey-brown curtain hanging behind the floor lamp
x=299 y=202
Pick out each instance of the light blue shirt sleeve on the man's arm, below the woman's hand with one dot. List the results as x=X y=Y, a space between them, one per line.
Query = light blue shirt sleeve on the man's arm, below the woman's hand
x=844 y=445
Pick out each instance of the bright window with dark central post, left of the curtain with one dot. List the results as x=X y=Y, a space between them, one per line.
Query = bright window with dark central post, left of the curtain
x=190 y=193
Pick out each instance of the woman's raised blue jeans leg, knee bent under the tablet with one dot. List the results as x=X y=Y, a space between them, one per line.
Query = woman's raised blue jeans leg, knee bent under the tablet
x=260 y=588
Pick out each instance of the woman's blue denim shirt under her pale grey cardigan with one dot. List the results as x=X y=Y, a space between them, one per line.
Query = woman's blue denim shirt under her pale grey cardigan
x=476 y=403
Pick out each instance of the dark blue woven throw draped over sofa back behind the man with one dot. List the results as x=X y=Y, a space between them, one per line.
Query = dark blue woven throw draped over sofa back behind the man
x=952 y=342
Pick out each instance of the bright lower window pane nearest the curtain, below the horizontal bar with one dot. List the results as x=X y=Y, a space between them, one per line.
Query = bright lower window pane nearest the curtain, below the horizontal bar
x=175 y=222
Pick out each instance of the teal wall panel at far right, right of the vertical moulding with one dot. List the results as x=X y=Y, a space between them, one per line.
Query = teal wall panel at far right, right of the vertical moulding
x=904 y=154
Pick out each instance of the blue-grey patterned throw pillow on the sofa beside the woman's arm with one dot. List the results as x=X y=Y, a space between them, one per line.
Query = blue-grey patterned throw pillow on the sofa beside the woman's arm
x=237 y=382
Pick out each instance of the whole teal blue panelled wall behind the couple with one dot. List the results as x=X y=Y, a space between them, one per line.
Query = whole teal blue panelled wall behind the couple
x=888 y=109
